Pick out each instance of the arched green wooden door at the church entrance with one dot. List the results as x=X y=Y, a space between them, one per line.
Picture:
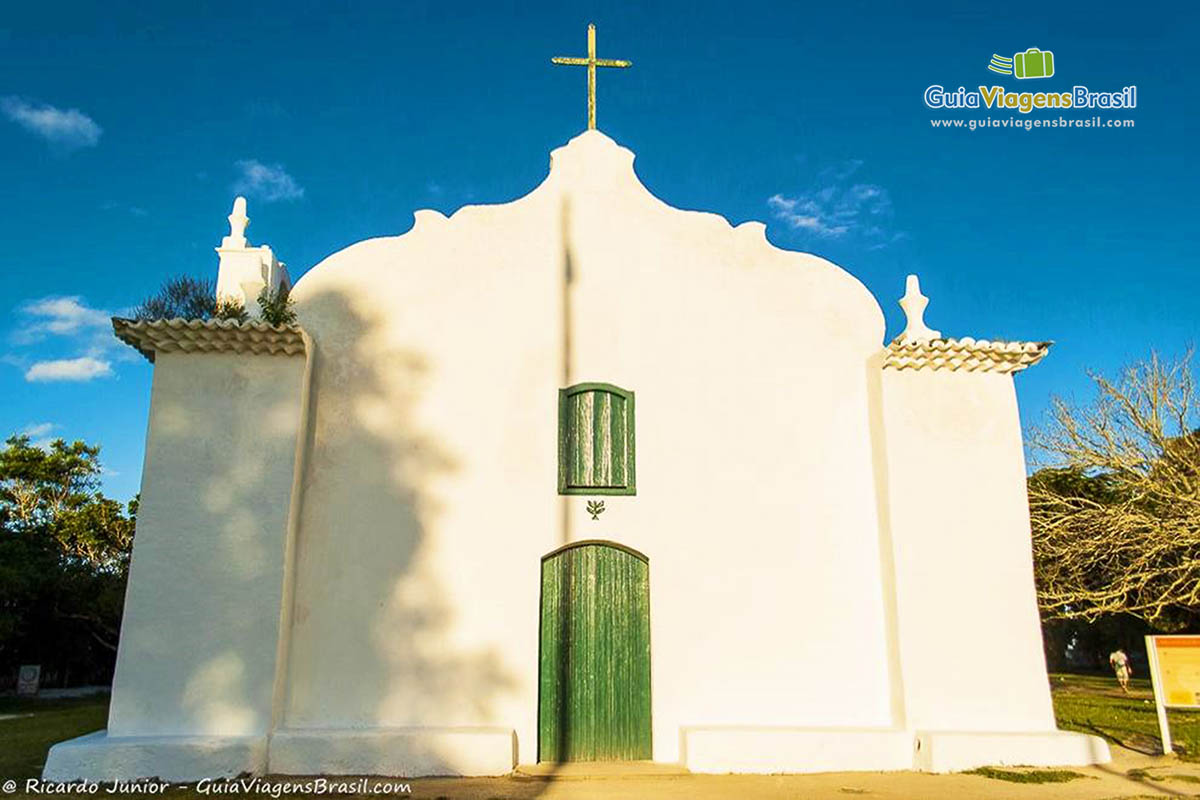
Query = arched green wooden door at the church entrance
x=595 y=689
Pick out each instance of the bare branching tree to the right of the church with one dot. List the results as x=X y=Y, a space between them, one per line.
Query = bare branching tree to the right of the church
x=1117 y=509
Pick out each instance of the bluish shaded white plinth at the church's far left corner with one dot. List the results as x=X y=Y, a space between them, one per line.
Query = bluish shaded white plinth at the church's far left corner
x=100 y=757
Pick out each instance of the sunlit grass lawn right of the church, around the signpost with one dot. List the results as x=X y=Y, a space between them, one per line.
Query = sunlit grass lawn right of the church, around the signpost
x=1096 y=705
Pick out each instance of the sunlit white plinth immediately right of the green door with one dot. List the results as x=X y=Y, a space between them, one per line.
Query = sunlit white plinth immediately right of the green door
x=794 y=750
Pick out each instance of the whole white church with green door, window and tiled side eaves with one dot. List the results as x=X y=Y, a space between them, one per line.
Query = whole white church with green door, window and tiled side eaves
x=575 y=478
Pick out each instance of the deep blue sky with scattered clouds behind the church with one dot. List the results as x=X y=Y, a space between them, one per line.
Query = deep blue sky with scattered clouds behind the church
x=127 y=129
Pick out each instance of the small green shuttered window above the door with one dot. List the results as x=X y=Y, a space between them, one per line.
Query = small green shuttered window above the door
x=596 y=441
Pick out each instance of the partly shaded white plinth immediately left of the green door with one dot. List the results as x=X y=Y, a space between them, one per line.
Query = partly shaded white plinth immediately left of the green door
x=404 y=753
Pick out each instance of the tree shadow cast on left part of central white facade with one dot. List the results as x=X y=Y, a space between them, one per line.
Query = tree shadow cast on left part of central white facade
x=375 y=628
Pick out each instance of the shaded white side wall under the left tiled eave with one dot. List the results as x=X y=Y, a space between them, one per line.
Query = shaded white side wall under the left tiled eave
x=202 y=611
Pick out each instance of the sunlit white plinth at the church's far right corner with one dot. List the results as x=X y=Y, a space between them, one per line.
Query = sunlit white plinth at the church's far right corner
x=943 y=751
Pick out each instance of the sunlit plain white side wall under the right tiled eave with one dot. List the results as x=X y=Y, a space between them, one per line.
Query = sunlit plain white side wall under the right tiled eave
x=970 y=636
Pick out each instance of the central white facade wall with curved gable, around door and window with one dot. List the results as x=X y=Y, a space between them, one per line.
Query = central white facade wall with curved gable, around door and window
x=431 y=494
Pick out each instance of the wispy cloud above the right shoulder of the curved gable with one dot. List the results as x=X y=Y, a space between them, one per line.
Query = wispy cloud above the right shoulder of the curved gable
x=837 y=207
